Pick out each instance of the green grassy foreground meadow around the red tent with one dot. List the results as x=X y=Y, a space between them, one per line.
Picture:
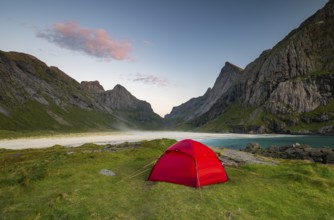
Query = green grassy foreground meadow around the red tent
x=64 y=183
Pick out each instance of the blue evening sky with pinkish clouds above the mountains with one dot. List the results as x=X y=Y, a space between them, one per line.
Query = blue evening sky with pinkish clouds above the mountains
x=162 y=51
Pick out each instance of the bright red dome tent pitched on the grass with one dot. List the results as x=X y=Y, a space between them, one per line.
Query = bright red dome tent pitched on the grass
x=189 y=163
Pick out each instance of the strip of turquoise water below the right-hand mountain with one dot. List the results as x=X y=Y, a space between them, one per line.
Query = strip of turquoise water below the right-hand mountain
x=267 y=141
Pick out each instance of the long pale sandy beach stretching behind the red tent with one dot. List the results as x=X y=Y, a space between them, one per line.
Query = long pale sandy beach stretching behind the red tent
x=106 y=138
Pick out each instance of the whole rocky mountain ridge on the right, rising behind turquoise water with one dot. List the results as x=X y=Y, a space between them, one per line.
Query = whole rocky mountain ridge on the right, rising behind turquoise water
x=287 y=89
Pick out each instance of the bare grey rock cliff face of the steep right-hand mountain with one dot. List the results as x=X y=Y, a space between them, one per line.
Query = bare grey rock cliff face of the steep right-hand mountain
x=306 y=51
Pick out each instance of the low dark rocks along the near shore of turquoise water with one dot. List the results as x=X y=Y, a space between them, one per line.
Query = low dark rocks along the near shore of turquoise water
x=295 y=151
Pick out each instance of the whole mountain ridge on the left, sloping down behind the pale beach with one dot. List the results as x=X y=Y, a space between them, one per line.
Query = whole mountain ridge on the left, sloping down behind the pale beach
x=34 y=96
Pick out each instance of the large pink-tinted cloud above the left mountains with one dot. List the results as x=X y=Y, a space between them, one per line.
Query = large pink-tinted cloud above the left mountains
x=94 y=42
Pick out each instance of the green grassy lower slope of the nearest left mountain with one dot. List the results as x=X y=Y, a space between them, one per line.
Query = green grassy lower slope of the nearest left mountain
x=33 y=116
